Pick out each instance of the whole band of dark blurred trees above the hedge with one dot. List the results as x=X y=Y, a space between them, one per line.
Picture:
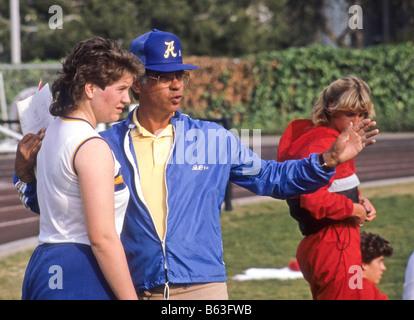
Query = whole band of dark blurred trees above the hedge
x=206 y=27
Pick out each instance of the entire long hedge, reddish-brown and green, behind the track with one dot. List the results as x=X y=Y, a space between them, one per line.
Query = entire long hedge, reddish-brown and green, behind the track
x=268 y=90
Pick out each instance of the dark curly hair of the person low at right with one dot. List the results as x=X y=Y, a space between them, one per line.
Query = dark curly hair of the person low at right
x=374 y=246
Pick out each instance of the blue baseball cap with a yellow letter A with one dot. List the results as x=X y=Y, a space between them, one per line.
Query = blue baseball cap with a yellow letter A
x=160 y=51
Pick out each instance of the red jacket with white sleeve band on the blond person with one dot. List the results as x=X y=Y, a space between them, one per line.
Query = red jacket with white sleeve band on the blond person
x=330 y=203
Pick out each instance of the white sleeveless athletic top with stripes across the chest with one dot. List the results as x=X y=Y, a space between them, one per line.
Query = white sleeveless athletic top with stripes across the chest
x=61 y=213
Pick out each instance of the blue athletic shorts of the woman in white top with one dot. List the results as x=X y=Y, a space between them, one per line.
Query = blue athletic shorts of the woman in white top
x=64 y=272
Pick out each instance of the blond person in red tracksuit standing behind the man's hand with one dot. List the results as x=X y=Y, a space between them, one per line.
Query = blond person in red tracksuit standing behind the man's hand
x=329 y=255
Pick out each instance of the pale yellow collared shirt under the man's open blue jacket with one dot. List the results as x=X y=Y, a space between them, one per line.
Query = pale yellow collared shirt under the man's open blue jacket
x=152 y=153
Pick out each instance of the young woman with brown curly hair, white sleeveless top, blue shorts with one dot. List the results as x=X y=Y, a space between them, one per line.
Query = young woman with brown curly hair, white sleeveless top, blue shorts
x=82 y=197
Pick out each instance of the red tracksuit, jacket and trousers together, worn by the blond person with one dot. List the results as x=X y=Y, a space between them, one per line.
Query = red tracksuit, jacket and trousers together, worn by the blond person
x=331 y=245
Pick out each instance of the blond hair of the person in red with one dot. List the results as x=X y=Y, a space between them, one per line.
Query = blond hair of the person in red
x=346 y=94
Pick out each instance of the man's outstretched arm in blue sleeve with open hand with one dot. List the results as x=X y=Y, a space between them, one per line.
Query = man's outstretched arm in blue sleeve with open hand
x=294 y=177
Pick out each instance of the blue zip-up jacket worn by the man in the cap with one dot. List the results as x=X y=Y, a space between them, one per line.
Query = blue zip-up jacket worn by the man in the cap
x=203 y=159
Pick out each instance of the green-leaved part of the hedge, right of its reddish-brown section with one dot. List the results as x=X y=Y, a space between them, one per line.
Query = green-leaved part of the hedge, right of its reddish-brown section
x=290 y=80
